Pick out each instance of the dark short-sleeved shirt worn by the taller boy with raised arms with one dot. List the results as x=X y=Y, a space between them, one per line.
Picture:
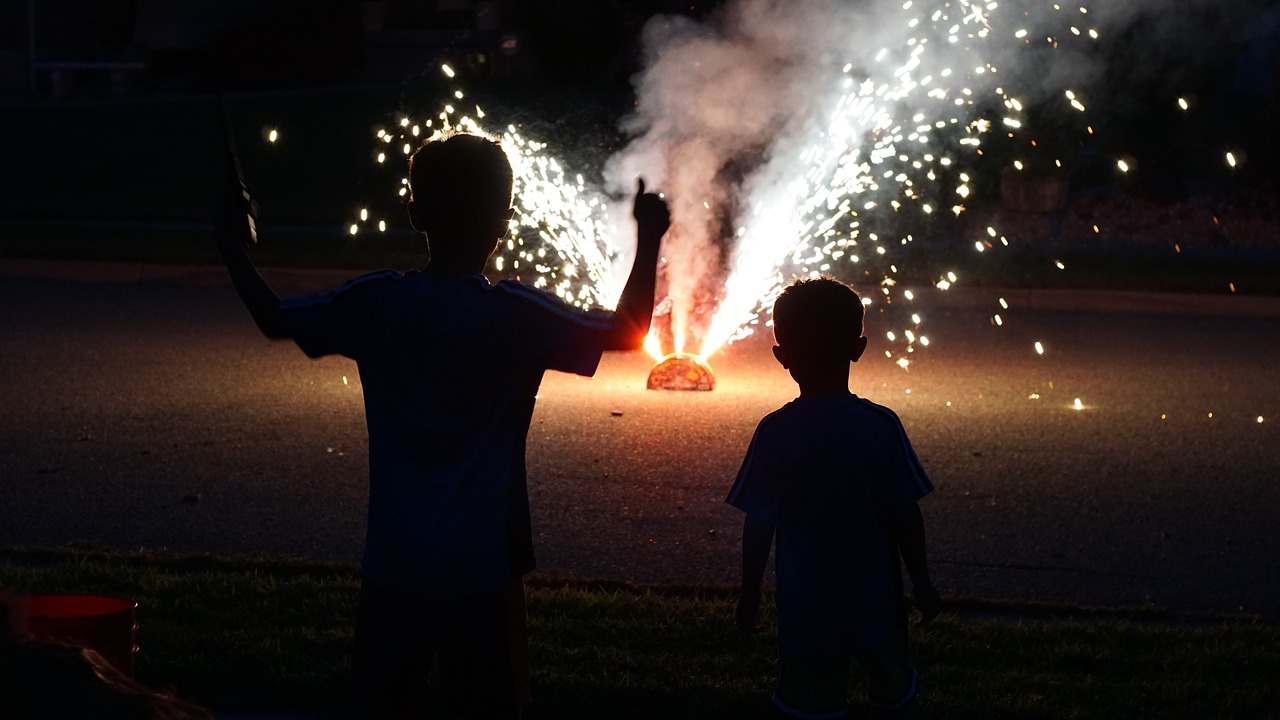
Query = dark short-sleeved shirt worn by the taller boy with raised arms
x=450 y=371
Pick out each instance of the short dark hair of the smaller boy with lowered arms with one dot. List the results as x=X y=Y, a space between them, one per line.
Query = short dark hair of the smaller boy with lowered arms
x=813 y=312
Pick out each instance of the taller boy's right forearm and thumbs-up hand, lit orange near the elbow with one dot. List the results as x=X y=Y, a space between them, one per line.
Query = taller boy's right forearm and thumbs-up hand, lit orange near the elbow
x=636 y=307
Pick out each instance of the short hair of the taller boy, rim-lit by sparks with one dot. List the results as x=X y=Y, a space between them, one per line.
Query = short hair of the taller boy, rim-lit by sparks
x=460 y=179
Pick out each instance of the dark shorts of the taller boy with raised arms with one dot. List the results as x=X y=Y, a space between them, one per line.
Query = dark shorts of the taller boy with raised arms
x=481 y=646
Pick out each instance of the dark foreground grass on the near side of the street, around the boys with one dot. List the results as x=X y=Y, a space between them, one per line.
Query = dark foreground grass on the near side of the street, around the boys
x=263 y=634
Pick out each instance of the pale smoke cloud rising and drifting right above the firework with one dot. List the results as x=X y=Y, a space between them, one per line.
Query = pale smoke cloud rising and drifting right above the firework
x=728 y=108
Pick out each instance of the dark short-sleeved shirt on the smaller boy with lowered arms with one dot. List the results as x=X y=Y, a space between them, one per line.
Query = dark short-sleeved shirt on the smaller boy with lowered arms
x=833 y=473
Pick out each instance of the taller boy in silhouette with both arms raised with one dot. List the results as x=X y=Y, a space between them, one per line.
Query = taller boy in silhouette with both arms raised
x=450 y=367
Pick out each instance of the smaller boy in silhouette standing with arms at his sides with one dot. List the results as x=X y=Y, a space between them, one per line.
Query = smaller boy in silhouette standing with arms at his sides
x=835 y=477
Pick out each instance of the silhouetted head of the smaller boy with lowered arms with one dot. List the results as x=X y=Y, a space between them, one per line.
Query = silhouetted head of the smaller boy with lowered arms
x=819 y=329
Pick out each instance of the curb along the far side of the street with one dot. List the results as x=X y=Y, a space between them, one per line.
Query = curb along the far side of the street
x=956 y=299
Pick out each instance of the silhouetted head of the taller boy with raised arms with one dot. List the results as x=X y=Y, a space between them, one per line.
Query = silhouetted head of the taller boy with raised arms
x=460 y=190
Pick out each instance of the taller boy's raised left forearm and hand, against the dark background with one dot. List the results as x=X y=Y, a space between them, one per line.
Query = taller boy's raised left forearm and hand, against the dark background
x=235 y=231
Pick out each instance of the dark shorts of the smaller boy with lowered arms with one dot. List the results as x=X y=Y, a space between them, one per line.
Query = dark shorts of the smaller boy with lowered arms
x=817 y=687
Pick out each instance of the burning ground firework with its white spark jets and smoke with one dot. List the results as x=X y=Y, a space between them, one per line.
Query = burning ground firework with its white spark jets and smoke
x=883 y=144
